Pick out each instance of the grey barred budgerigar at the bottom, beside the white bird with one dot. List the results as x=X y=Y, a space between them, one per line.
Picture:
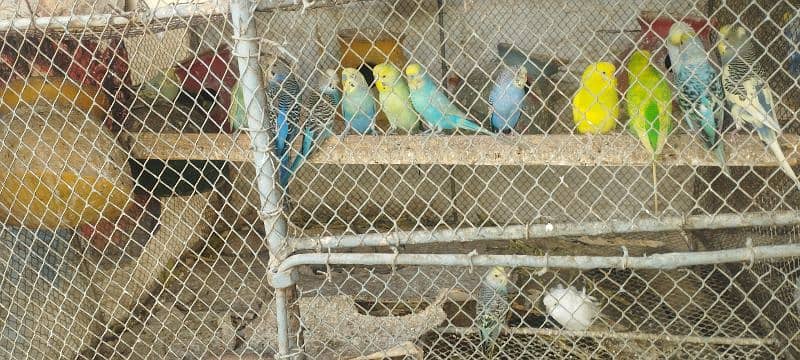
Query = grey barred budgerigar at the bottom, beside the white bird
x=492 y=308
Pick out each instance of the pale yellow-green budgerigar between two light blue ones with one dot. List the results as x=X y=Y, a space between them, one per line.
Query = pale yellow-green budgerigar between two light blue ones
x=395 y=98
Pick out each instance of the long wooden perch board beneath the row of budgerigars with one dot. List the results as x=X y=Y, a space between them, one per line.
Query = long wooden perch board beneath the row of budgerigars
x=563 y=149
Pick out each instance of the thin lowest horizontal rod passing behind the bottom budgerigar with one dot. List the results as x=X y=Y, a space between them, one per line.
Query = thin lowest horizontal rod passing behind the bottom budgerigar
x=716 y=340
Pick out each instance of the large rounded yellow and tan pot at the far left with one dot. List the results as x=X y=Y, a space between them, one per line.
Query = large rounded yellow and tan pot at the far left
x=62 y=168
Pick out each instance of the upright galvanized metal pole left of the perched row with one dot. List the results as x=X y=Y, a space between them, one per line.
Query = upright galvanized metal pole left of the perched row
x=255 y=100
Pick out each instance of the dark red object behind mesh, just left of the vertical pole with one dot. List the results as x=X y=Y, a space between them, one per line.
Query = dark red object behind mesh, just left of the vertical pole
x=213 y=70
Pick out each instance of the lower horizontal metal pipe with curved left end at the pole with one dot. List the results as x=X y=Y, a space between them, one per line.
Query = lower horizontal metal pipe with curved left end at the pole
x=658 y=261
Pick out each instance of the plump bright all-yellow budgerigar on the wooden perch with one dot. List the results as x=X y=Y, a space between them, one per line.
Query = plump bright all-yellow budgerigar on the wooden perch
x=595 y=107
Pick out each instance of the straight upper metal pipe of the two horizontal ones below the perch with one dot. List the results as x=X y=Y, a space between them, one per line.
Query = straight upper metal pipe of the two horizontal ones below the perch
x=516 y=232
